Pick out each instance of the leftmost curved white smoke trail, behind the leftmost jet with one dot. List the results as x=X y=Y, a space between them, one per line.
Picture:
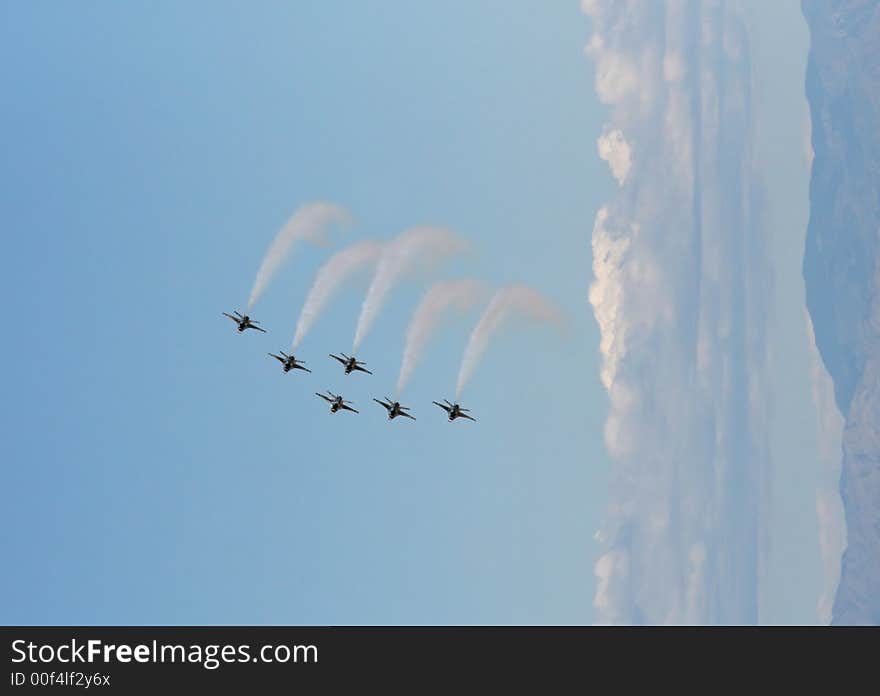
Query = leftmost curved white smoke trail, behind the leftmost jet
x=309 y=223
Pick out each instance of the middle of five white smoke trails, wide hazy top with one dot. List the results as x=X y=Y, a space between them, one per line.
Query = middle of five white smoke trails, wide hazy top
x=414 y=248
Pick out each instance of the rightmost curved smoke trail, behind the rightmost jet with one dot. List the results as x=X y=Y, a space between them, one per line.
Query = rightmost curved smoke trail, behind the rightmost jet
x=506 y=303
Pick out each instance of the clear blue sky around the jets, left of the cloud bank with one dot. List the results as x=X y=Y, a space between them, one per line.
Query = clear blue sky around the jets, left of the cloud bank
x=158 y=467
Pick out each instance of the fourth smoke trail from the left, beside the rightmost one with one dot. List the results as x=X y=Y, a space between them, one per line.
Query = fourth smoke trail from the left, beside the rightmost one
x=449 y=294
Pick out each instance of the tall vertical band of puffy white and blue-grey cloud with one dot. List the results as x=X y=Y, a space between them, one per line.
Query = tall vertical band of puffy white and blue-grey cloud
x=680 y=288
